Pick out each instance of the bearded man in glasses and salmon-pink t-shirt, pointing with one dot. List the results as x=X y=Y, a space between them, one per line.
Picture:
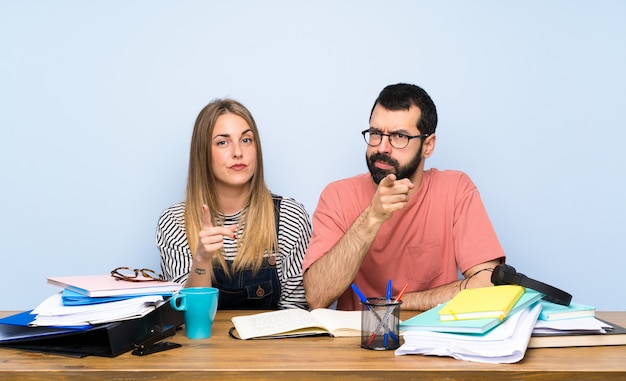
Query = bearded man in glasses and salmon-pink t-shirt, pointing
x=399 y=222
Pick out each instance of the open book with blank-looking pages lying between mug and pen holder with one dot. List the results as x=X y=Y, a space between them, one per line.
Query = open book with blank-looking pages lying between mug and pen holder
x=296 y=322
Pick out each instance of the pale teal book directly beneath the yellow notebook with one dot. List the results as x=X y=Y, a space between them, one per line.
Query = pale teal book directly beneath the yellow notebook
x=429 y=320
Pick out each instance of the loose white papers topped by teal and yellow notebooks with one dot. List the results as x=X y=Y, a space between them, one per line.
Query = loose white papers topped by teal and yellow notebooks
x=490 y=324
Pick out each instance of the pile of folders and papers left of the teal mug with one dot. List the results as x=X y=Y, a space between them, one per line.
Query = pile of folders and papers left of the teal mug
x=95 y=315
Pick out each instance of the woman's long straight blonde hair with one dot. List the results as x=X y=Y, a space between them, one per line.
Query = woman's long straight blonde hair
x=258 y=220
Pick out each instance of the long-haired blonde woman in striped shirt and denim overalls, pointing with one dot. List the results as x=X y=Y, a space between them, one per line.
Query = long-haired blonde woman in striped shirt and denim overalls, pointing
x=230 y=232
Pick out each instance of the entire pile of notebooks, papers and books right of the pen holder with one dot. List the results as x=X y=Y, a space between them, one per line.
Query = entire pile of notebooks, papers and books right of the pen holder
x=497 y=324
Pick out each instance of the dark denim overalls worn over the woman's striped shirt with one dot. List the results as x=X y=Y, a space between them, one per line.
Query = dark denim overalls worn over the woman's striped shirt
x=247 y=291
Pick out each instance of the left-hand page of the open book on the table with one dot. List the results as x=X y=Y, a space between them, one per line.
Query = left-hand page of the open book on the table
x=275 y=322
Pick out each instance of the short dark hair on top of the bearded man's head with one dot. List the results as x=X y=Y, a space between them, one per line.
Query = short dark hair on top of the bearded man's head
x=402 y=96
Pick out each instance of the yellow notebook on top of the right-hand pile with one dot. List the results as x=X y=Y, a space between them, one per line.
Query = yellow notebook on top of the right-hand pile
x=480 y=303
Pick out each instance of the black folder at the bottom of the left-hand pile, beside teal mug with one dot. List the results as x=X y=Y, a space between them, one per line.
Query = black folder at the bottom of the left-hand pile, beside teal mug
x=107 y=340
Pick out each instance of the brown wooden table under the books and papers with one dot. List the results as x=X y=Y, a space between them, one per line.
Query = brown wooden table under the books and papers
x=224 y=358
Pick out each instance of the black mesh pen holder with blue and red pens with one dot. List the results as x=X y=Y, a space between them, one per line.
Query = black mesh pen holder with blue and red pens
x=380 y=324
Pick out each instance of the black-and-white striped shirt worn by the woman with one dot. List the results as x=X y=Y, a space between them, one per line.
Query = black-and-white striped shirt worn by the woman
x=294 y=233
